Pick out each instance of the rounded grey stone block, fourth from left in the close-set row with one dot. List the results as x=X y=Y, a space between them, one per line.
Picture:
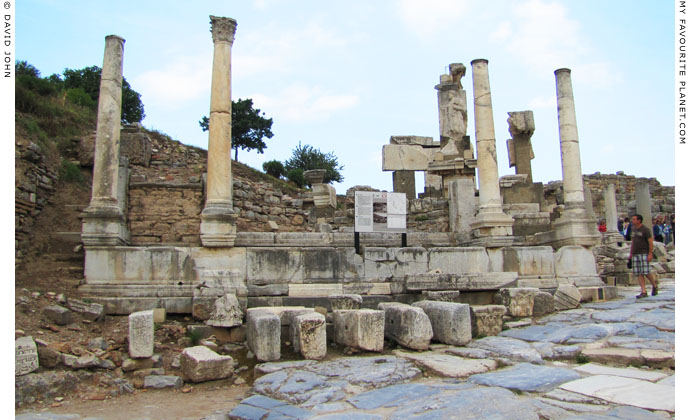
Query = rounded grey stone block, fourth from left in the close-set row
x=407 y=325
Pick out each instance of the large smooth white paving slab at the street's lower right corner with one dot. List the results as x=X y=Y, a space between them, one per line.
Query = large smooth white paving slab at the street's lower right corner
x=627 y=391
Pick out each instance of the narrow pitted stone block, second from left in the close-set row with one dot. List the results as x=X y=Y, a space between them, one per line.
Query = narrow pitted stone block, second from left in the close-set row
x=308 y=332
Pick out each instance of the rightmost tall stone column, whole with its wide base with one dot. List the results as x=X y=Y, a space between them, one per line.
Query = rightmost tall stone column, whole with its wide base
x=575 y=226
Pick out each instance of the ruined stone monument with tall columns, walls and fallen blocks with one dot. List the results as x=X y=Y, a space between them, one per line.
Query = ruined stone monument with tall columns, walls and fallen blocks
x=507 y=247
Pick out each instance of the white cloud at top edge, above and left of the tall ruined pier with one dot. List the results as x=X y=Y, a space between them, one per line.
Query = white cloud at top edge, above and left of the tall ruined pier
x=426 y=18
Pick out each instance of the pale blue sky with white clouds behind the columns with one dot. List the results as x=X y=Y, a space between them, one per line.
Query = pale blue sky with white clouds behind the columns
x=345 y=76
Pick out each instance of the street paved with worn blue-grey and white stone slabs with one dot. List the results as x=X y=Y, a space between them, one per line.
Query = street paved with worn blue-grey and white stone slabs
x=604 y=360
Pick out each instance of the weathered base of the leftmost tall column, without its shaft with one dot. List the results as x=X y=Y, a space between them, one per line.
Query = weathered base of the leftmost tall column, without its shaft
x=104 y=226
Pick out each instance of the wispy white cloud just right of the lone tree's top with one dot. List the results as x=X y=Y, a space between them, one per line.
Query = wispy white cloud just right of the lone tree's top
x=299 y=103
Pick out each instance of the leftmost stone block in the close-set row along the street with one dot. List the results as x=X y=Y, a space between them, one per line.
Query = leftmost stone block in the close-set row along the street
x=263 y=334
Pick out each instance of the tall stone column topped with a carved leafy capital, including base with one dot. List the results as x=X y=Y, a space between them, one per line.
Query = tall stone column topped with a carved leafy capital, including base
x=218 y=227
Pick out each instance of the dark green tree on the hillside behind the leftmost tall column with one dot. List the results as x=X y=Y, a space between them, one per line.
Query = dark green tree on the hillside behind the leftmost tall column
x=89 y=80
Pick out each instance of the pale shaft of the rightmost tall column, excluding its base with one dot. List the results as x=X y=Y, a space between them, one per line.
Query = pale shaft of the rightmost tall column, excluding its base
x=573 y=187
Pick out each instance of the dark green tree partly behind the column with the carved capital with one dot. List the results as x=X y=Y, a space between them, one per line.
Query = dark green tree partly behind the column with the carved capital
x=249 y=126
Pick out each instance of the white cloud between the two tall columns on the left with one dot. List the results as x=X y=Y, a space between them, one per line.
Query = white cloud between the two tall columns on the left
x=170 y=86
